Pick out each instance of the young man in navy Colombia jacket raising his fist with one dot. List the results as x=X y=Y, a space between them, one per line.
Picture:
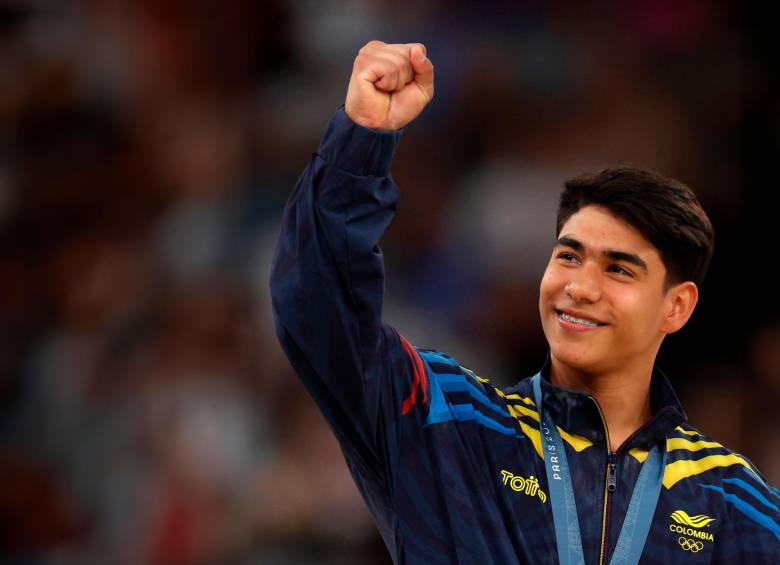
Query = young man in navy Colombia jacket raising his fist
x=589 y=461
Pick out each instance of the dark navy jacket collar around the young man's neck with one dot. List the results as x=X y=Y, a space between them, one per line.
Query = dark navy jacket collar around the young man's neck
x=576 y=411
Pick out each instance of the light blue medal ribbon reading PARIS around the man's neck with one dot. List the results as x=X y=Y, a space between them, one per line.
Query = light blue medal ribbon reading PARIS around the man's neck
x=641 y=508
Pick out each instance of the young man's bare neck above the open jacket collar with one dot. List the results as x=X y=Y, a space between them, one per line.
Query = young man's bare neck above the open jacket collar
x=624 y=397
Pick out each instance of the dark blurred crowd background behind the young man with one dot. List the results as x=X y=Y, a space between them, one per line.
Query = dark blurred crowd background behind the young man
x=147 y=148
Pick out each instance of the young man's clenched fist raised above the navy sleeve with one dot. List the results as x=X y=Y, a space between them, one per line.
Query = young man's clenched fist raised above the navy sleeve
x=390 y=85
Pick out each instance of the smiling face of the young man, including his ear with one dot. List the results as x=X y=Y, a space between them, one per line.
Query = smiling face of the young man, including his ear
x=602 y=300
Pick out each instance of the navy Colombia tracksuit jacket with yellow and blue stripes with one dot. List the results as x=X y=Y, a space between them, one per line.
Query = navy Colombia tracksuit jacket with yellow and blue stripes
x=449 y=465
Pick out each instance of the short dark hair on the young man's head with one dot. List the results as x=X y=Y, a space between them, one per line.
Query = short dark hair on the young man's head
x=665 y=211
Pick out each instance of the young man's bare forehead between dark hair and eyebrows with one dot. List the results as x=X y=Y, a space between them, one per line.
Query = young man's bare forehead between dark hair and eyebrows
x=598 y=230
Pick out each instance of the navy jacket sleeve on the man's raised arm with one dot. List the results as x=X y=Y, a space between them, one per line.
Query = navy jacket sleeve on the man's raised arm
x=327 y=288
